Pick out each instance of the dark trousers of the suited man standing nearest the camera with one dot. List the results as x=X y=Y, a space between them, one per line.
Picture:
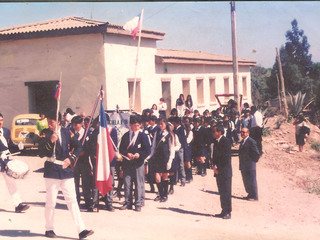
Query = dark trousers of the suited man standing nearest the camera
x=224 y=187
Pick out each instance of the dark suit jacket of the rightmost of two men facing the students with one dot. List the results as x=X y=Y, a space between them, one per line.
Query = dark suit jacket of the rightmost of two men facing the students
x=248 y=154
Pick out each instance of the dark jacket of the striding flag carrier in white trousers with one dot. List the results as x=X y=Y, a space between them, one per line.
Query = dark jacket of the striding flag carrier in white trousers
x=62 y=152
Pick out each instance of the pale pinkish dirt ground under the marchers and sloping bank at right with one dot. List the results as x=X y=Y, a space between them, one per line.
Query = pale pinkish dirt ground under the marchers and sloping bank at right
x=285 y=209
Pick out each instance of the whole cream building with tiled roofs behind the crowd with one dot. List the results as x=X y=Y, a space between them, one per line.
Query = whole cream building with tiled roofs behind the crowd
x=92 y=53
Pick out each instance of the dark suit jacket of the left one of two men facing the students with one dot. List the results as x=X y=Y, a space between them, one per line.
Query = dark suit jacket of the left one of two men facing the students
x=222 y=157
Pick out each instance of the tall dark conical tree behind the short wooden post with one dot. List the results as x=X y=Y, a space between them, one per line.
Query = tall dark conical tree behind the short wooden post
x=296 y=63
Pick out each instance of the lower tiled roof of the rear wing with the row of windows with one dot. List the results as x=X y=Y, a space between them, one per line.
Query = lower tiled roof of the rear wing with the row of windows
x=193 y=57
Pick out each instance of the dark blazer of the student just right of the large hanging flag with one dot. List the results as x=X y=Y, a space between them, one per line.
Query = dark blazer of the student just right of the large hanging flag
x=141 y=146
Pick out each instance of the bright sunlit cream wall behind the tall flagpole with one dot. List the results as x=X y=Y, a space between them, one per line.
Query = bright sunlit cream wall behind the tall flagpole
x=120 y=52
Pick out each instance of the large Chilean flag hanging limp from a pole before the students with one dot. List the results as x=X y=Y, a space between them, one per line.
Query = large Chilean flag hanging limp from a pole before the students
x=105 y=154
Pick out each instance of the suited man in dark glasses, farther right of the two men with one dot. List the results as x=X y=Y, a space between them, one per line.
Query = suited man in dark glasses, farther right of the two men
x=248 y=155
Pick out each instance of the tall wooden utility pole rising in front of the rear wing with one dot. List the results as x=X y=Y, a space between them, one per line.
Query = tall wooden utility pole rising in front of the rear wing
x=235 y=54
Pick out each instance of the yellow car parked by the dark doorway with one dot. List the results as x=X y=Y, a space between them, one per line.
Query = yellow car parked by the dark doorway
x=24 y=129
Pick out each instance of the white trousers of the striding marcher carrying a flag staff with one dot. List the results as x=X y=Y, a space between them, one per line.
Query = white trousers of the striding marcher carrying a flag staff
x=68 y=189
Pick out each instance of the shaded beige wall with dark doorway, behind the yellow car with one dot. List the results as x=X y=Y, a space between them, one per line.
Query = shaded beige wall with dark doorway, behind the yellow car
x=80 y=58
